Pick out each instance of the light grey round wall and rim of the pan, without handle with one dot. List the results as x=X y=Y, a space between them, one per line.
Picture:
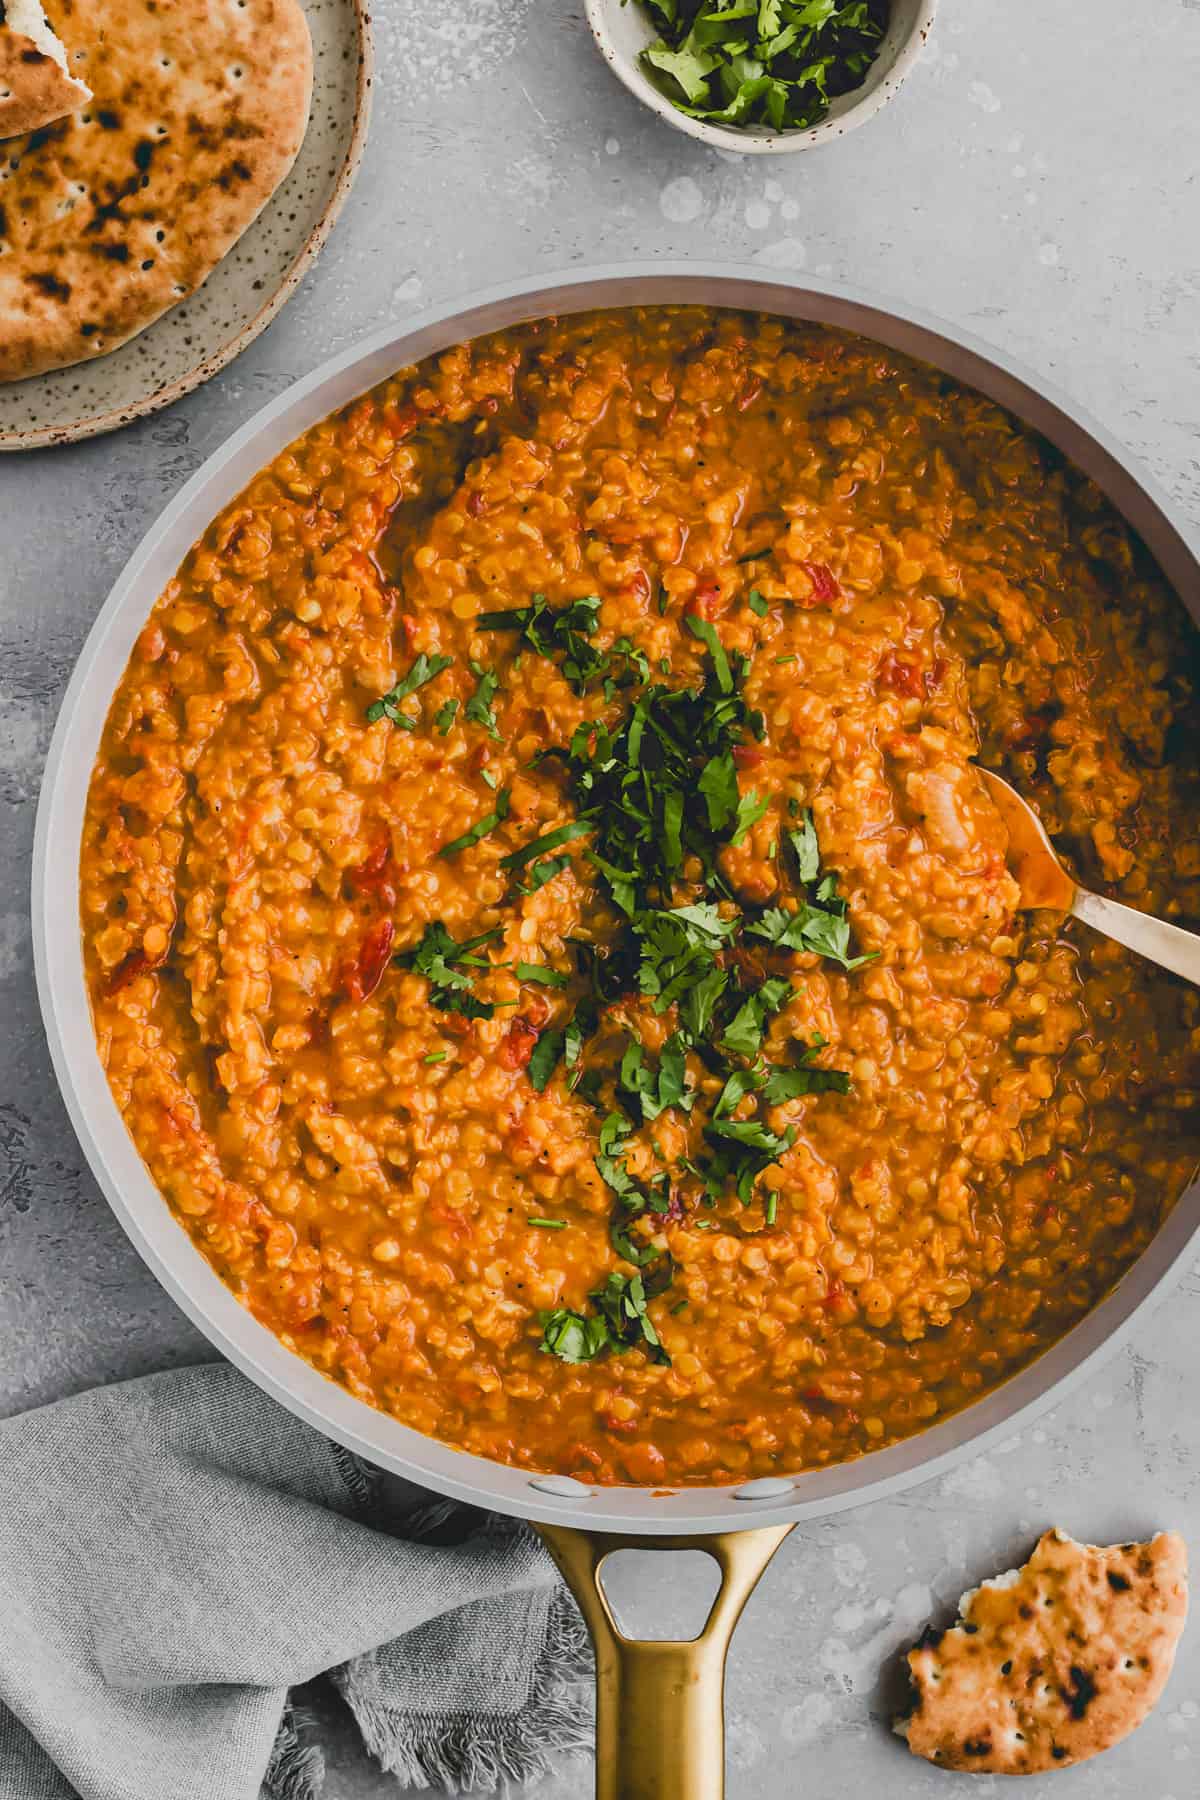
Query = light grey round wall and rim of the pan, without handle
x=58 y=951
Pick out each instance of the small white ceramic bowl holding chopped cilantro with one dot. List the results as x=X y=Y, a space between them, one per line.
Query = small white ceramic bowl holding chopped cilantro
x=623 y=31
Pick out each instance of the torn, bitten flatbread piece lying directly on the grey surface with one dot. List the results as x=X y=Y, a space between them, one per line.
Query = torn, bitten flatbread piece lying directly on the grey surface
x=1053 y=1662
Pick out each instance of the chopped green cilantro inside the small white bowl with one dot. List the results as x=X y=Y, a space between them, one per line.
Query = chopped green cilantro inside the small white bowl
x=773 y=64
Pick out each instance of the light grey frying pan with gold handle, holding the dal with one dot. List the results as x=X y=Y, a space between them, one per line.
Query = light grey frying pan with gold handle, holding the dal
x=659 y=1720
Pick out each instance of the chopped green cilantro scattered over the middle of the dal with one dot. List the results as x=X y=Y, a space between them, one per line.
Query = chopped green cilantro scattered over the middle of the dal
x=658 y=796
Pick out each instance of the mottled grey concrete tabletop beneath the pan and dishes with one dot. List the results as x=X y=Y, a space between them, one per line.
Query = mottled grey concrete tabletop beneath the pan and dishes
x=1037 y=183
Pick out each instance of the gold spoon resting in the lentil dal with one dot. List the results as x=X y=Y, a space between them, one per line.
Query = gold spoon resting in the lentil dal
x=1044 y=883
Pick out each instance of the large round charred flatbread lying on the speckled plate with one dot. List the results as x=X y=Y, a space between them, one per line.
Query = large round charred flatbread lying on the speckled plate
x=118 y=213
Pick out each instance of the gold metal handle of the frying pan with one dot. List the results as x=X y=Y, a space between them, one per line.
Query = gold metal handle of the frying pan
x=661 y=1705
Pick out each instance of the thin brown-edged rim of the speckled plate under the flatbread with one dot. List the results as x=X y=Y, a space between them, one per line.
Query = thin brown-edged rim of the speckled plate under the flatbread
x=48 y=436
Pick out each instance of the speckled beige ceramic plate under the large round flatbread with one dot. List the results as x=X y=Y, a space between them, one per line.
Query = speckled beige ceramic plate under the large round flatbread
x=247 y=289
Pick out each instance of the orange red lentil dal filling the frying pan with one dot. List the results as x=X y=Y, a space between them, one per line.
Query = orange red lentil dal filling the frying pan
x=940 y=586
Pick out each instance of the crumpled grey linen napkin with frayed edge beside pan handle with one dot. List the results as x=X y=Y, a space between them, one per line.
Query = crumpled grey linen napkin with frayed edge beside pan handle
x=177 y=1554
